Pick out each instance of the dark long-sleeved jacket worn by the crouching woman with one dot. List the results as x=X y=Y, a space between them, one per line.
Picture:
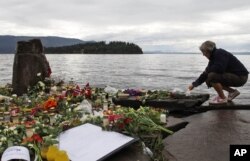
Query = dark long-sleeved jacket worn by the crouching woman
x=221 y=61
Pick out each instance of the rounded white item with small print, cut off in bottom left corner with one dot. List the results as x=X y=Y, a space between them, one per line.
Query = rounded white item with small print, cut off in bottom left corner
x=16 y=152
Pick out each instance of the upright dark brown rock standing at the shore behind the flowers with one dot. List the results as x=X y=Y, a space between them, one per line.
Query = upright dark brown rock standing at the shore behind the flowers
x=29 y=61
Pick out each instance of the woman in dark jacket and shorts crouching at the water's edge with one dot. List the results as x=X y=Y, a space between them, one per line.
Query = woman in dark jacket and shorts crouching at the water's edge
x=223 y=72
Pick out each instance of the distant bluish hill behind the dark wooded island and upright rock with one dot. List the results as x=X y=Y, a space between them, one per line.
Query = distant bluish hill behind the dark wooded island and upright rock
x=8 y=42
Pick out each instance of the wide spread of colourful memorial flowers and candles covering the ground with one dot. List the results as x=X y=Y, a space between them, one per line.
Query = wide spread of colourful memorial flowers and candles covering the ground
x=44 y=114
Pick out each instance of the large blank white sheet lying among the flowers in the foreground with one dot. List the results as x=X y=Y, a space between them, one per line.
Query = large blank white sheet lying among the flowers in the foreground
x=90 y=143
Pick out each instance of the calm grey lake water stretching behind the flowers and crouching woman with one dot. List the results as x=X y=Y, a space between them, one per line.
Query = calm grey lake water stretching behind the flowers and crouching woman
x=147 y=71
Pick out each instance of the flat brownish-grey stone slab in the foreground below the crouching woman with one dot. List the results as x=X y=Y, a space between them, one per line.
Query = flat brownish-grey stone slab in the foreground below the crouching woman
x=208 y=136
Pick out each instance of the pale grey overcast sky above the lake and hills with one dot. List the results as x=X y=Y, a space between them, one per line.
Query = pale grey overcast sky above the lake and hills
x=166 y=25
